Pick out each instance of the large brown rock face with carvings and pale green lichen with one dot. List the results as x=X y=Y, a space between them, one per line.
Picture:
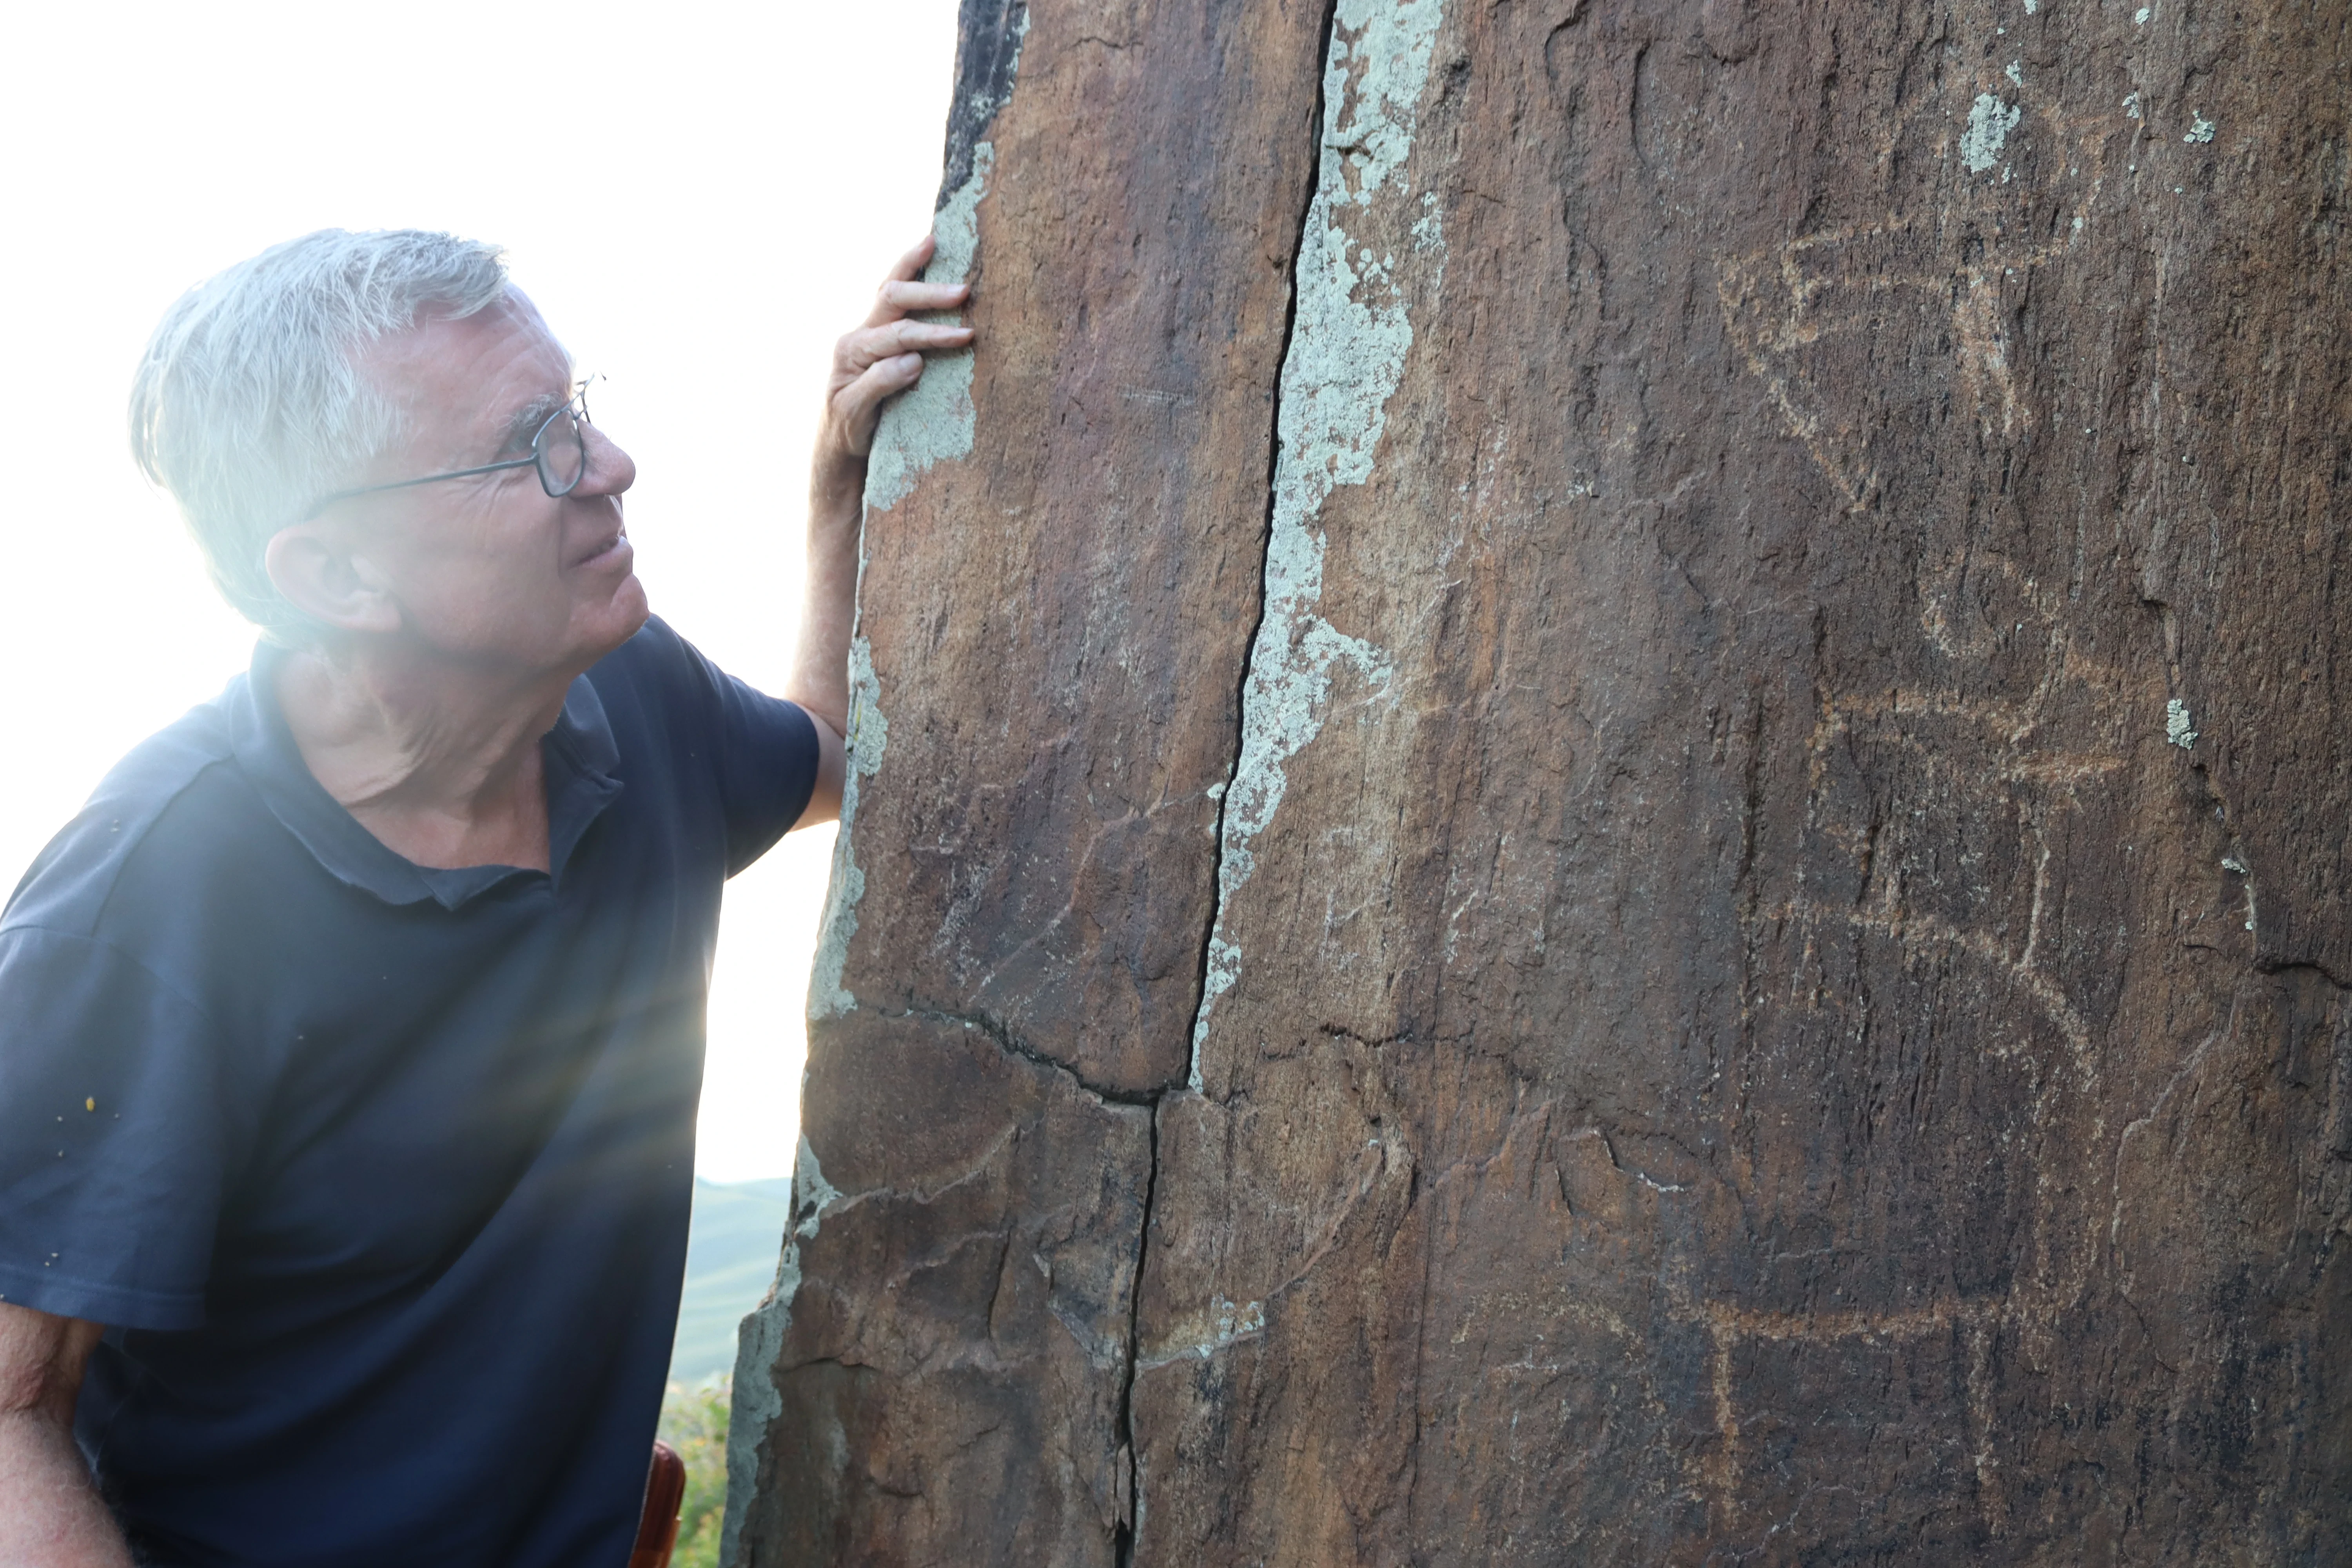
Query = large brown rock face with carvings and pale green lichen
x=1601 y=805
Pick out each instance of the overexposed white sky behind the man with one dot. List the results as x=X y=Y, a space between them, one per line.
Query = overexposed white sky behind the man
x=700 y=199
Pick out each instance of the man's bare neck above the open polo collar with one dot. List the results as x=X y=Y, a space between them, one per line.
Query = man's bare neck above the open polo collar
x=439 y=760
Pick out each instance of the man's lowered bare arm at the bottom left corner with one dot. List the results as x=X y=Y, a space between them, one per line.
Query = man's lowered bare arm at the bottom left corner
x=51 y=1517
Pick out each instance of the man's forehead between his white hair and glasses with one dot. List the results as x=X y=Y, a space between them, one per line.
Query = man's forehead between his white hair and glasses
x=460 y=382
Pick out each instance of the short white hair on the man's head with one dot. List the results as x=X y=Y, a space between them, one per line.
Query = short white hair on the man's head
x=248 y=406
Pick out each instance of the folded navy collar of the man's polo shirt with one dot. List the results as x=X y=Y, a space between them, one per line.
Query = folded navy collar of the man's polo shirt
x=580 y=760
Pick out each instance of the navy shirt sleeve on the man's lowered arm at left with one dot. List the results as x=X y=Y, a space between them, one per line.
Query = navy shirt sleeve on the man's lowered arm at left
x=114 y=1137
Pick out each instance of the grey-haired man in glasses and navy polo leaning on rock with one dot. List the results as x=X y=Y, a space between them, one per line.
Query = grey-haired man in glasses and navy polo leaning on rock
x=352 y=1036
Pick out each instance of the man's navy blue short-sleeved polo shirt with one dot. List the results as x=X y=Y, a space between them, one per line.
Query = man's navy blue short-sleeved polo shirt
x=377 y=1174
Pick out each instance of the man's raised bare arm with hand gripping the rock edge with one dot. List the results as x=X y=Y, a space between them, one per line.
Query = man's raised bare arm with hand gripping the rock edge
x=869 y=368
